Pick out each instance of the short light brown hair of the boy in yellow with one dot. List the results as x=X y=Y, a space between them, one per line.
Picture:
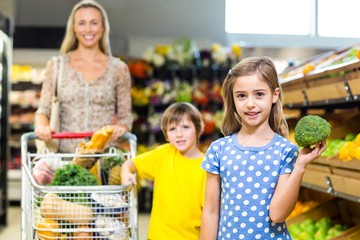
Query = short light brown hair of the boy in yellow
x=176 y=111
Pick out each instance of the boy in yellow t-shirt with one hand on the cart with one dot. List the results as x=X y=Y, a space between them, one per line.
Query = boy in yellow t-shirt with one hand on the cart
x=179 y=182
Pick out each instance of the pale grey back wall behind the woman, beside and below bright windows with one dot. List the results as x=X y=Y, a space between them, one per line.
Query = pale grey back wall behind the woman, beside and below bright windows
x=202 y=20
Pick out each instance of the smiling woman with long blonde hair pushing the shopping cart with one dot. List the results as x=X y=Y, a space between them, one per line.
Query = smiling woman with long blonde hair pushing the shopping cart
x=94 y=88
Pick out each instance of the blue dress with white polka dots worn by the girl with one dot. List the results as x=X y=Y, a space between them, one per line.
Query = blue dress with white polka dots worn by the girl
x=248 y=179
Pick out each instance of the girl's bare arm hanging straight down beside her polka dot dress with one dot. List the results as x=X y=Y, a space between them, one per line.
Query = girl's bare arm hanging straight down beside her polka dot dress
x=211 y=211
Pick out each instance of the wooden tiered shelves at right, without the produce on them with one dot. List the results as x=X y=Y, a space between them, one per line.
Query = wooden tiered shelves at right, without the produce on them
x=329 y=88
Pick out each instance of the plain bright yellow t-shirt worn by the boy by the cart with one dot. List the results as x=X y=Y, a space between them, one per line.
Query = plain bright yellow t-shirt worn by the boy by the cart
x=179 y=186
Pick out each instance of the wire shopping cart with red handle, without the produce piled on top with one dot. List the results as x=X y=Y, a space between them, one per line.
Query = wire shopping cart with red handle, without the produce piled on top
x=106 y=212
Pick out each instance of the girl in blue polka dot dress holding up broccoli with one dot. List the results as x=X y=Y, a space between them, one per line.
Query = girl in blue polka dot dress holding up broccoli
x=253 y=173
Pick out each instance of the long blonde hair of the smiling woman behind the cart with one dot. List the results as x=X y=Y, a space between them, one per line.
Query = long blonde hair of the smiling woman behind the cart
x=70 y=41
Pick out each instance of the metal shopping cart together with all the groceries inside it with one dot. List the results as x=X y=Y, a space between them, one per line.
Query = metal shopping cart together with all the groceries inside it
x=77 y=195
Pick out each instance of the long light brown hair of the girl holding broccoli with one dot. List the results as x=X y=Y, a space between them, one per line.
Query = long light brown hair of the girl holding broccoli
x=266 y=71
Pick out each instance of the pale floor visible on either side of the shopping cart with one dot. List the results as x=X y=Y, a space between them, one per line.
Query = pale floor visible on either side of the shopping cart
x=13 y=229
